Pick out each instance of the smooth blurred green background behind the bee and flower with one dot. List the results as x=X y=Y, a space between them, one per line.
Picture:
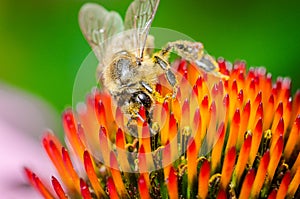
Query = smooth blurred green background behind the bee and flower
x=41 y=46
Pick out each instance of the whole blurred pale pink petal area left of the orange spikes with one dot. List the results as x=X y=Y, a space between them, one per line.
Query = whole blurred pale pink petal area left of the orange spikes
x=22 y=118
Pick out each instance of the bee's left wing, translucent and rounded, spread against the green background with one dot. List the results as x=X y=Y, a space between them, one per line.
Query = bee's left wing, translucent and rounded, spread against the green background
x=98 y=25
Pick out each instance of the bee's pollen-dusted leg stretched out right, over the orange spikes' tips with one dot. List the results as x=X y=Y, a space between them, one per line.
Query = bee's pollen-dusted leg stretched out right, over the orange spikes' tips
x=194 y=53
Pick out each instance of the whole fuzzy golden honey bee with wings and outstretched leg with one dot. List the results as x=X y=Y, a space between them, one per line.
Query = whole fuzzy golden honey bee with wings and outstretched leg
x=127 y=66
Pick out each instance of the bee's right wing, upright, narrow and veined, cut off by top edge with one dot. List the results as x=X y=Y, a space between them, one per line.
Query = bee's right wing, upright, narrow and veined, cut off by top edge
x=139 y=17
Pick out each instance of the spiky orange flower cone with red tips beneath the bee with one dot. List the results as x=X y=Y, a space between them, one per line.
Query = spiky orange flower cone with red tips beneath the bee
x=235 y=138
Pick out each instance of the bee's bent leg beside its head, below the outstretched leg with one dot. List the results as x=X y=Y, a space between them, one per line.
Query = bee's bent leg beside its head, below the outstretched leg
x=170 y=76
